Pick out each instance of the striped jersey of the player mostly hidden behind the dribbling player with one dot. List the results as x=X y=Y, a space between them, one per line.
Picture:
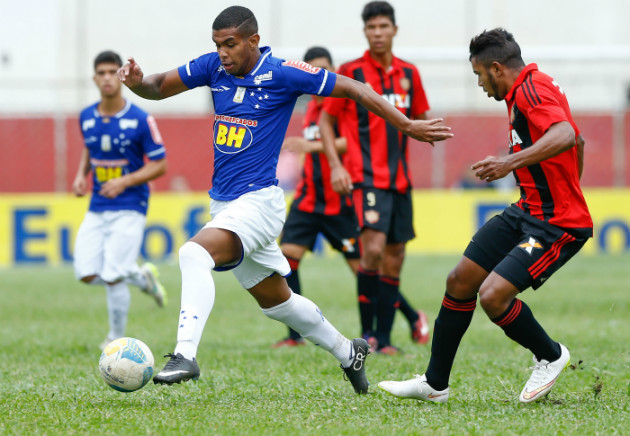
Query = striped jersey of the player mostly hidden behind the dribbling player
x=314 y=192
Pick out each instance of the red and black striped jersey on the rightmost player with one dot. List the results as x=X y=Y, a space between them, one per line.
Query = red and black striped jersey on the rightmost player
x=550 y=189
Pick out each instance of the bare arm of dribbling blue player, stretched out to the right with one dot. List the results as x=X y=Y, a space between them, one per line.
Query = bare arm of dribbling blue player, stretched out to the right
x=422 y=130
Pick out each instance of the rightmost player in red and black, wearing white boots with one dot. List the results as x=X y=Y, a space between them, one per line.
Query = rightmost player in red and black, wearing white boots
x=531 y=239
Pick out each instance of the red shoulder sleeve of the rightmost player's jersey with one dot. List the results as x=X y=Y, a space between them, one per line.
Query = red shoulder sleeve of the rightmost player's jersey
x=541 y=104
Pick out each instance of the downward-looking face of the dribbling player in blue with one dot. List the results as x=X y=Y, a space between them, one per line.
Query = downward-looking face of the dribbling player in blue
x=238 y=54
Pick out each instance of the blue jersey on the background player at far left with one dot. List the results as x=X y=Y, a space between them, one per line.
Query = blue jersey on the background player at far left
x=117 y=146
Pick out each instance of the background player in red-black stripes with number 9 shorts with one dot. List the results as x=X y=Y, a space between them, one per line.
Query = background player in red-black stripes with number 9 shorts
x=378 y=166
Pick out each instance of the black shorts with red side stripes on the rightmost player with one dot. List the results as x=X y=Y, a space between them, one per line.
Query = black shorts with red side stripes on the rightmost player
x=522 y=249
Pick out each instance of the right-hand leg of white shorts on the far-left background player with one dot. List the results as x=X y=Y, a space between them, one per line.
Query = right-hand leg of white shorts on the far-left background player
x=122 y=245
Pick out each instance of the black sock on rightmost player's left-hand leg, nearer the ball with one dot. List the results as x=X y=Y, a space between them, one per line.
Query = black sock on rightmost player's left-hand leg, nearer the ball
x=449 y=328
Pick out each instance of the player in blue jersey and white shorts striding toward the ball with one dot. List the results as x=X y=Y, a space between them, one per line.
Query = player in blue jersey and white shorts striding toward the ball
x=254 y=94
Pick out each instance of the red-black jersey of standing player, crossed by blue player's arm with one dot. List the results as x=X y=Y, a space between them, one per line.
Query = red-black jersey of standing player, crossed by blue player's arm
x=377 y=153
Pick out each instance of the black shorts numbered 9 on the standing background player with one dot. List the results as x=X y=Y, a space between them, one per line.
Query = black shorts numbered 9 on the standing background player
x=387 y=211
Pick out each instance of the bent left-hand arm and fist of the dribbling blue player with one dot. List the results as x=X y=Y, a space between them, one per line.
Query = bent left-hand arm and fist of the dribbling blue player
x=154 y=87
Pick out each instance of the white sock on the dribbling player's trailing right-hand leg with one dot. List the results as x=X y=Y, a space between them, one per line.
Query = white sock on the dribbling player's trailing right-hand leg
x=303 y=316
